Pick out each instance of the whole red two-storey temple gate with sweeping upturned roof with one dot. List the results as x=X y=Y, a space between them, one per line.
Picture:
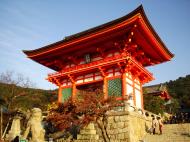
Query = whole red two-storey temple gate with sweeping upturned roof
x=112 y=56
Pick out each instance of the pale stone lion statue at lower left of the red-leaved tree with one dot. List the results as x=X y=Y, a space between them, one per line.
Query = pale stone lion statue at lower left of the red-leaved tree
x=35 y=127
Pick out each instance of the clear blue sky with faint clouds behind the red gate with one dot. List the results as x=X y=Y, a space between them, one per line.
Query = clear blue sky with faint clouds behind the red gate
x=27 y=25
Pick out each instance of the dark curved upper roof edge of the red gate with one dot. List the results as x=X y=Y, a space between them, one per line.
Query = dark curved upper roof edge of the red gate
x=138 y=10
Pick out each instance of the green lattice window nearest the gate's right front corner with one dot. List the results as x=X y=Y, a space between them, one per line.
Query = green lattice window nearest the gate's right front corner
x=114 y=87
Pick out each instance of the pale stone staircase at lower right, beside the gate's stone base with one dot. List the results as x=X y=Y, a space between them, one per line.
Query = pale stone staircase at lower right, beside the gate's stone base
x=171 y=133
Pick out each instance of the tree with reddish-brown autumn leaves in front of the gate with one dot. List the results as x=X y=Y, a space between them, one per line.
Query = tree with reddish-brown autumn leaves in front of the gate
x=86 y=108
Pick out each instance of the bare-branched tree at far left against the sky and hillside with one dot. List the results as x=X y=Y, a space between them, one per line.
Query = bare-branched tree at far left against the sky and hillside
x=13 y=90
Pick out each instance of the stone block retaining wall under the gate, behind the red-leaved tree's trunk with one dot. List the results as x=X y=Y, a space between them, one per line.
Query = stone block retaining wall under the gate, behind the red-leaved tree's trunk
x=121 y=126
